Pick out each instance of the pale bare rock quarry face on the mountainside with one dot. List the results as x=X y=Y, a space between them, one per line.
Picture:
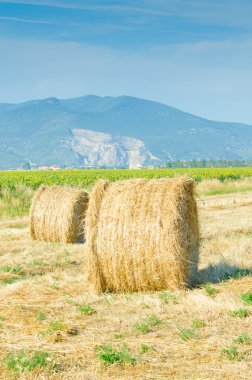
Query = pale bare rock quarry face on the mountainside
x=103 y=149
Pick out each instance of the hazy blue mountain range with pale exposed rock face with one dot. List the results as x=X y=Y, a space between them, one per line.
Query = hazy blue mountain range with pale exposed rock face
x=107 y=131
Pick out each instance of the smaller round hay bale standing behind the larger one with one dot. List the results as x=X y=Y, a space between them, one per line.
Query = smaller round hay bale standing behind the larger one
x=57 y=214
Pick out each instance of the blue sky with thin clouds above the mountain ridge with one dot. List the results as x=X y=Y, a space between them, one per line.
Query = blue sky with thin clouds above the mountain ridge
x=191 y=54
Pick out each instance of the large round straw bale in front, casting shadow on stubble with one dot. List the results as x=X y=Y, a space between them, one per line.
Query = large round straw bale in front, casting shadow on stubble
x=142 y=234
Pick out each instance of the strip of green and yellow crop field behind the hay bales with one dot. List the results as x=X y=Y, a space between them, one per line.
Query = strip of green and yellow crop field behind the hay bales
x=86 y=178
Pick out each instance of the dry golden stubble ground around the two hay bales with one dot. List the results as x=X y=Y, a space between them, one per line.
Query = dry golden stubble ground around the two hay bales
x=41 y=309
